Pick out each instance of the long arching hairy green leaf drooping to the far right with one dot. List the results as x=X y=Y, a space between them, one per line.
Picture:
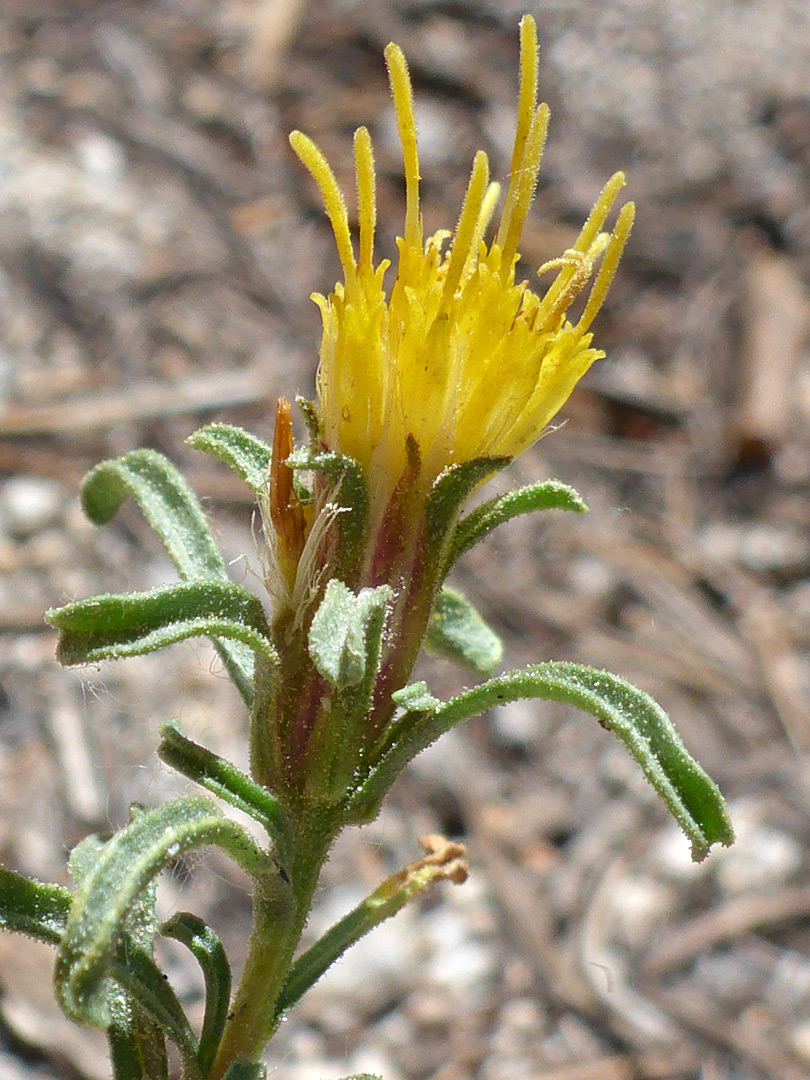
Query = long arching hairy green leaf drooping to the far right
x=646 y=731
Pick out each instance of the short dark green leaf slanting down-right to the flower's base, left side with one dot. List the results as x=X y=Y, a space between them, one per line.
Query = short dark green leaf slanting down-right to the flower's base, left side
x=229 y=784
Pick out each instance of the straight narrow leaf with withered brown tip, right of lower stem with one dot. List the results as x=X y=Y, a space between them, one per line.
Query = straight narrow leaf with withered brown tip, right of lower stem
x=444 y=861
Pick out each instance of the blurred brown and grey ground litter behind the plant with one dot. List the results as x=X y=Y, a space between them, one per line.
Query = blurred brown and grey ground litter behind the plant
x=158 y=246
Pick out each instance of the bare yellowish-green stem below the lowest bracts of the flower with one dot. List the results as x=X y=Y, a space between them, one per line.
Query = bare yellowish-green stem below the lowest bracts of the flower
x=274 y=942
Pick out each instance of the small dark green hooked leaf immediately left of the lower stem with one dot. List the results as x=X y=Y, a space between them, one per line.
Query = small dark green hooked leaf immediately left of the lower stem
x=209 y=952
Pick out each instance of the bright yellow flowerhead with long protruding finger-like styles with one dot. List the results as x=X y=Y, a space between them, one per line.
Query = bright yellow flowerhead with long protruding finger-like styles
x=457 y=356
